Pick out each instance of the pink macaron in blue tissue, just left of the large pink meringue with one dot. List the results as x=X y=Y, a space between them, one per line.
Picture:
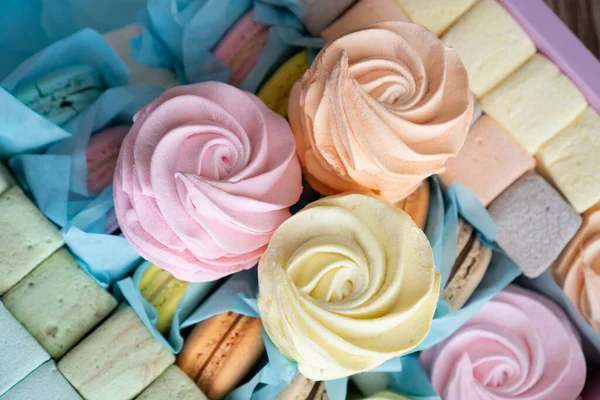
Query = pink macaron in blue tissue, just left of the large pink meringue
x=101 y=154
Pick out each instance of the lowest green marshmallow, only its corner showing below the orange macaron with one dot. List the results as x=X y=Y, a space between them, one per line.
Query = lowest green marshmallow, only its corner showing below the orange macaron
x=173 y=384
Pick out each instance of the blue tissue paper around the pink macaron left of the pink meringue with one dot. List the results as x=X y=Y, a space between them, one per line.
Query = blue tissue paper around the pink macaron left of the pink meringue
x=57 y=181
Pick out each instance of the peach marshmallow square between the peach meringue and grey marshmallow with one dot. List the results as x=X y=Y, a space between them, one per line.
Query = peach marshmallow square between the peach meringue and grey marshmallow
x=490 y=160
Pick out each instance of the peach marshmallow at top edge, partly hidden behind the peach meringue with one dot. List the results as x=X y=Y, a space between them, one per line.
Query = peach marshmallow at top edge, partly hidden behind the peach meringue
x=363 y=14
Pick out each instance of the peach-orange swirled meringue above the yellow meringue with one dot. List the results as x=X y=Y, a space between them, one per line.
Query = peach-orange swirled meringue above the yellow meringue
x=380 y=109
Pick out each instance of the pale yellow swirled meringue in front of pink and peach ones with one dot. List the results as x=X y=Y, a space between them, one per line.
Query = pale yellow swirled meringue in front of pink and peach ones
x=346 y=284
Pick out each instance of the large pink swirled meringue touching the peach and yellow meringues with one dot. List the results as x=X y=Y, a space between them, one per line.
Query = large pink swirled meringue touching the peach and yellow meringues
x=204 y=177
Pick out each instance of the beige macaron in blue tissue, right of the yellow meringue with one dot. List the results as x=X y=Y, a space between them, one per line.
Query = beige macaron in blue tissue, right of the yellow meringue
x=473 y=259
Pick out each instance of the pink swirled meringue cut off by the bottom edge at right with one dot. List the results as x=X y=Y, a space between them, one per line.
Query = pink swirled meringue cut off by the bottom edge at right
x=520 y=345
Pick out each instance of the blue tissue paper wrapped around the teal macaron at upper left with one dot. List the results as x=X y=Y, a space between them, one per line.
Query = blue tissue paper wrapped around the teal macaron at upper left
x=84 y=47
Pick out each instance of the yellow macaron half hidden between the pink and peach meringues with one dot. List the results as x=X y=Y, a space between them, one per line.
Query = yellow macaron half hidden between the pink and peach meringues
x=275 y=92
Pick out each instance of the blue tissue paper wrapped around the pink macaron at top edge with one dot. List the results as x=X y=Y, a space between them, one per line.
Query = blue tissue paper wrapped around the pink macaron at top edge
x=181 y=35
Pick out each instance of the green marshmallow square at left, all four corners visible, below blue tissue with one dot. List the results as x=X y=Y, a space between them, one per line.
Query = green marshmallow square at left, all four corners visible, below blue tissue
x=59 y=303
